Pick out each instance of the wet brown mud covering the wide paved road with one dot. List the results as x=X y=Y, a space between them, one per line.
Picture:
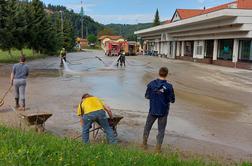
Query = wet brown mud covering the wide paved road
x=212 y=114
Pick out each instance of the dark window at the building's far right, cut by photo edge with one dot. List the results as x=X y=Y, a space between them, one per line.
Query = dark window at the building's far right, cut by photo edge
x=245 y=52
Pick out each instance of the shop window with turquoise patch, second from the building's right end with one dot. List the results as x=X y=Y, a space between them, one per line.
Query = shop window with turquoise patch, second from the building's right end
x=226 y=49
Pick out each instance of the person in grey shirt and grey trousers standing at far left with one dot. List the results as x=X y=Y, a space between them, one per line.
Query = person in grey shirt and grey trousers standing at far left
x=19 y=74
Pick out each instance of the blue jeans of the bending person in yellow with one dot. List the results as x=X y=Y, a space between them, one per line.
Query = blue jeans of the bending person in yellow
x=100 y=117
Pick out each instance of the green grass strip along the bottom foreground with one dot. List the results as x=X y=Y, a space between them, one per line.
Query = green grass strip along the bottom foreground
x=29 y=148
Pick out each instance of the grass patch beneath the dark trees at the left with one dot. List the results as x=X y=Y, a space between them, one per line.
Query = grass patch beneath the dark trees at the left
x=6 y=58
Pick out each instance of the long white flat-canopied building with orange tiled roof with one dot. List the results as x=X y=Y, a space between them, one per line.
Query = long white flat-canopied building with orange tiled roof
x=219 y=35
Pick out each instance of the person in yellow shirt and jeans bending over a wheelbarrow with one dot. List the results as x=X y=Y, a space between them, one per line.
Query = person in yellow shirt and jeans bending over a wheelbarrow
x=92 y=109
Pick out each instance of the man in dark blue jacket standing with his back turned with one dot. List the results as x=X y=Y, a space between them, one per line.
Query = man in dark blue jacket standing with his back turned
x=160 y=94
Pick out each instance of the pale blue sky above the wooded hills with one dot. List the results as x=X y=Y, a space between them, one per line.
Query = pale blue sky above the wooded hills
x=132 y=11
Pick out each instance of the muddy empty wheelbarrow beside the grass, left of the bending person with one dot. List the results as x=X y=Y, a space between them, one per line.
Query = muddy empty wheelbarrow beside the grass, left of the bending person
x=36 y=120
